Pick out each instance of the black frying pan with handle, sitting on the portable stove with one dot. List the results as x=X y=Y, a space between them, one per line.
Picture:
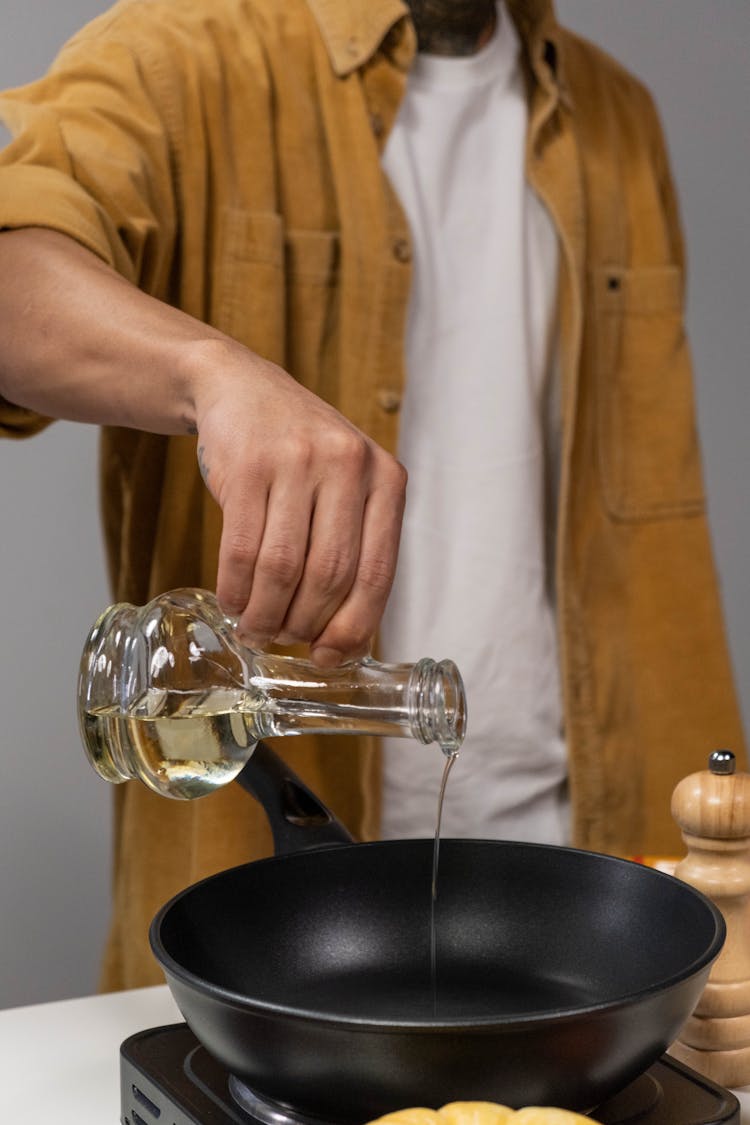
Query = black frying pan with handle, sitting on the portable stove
x=561 y=975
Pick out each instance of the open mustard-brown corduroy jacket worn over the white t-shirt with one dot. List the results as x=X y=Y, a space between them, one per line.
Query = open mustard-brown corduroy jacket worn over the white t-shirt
x=224 y=156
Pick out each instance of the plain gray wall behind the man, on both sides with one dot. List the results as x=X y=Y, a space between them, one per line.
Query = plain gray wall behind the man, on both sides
x=55 y=814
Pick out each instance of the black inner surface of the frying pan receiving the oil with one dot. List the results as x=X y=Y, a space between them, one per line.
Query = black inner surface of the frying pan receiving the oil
x=521 y=931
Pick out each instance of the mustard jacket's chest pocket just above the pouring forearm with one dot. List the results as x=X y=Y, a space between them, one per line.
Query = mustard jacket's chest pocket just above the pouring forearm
x=276 y=291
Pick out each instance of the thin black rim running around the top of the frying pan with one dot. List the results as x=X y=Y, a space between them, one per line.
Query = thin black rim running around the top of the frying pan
x=494 y=1024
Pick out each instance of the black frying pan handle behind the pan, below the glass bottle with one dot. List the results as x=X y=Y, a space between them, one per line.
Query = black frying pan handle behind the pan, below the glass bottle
x=299 y=820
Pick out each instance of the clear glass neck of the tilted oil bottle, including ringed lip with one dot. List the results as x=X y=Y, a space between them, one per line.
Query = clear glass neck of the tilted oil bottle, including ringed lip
x=424 y=701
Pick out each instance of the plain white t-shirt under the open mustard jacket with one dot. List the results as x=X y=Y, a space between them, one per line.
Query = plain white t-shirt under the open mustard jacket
x=474 y=580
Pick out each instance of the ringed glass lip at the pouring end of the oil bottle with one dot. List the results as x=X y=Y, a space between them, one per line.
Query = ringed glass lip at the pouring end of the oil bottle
x=438 y=705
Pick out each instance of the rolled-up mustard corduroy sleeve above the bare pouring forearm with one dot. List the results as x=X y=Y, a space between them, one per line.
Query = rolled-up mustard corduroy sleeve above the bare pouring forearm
x=91 y=157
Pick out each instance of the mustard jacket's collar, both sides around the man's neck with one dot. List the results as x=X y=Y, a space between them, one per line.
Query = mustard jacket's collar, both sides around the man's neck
x=354 y=30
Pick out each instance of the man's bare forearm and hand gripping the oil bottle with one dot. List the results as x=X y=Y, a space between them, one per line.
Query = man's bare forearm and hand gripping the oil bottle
x=312 y=508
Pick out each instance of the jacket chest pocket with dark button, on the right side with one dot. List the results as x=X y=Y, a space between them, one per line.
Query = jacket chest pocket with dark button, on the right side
x=647 y=440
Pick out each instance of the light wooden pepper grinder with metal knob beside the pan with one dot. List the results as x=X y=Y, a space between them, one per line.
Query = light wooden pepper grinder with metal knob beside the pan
x=712 y=809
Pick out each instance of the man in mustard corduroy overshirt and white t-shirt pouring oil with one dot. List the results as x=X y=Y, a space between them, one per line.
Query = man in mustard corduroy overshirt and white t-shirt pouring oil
x=215 y=217
